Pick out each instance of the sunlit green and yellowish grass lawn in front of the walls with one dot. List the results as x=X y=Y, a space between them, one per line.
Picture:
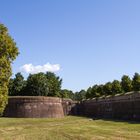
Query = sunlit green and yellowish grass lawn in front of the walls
x=68 y=128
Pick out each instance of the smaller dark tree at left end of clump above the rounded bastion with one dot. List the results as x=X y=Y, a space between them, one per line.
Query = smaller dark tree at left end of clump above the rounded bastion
x=17 y=85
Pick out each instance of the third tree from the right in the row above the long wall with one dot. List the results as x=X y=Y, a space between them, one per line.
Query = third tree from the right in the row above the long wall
x=116 y=87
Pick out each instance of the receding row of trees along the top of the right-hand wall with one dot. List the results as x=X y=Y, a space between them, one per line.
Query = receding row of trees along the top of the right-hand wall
x=116 y=87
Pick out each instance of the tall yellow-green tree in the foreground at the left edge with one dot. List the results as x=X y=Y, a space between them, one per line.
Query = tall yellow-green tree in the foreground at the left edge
x=8 y=53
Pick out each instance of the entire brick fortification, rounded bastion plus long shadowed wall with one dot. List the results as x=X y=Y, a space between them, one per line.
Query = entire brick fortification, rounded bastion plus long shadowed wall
x=126 y=107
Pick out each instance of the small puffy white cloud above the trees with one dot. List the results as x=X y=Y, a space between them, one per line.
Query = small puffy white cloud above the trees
x=30 y=68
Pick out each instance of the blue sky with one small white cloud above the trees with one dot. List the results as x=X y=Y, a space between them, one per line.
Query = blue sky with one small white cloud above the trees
x=85 y=42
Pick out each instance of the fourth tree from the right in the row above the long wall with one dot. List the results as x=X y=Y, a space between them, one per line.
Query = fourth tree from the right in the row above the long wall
x=107 y=88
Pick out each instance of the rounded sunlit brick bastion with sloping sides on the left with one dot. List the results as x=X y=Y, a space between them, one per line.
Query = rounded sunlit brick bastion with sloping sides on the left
x=34 y=107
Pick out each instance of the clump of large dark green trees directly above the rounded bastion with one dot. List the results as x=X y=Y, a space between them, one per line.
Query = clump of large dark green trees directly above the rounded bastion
x=41 y=84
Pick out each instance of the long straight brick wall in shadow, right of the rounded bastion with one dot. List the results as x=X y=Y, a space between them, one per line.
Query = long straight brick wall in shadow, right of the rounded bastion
x=118 y=107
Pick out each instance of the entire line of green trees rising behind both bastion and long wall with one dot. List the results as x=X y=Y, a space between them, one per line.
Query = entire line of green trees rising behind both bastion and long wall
x=48 y=84
